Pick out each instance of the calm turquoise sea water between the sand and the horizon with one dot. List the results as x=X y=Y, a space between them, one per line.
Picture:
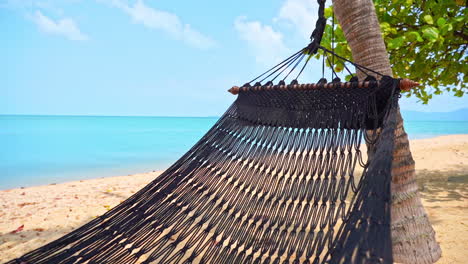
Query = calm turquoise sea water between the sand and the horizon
x=47 y=149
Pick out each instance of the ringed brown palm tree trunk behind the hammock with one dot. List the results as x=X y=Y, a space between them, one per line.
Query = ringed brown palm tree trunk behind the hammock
x=413 y=237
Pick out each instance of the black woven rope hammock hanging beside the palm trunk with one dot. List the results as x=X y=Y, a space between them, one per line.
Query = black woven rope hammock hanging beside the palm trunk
x=280 y=178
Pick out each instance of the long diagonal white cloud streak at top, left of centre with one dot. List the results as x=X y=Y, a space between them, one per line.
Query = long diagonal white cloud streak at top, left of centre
x=164 y=21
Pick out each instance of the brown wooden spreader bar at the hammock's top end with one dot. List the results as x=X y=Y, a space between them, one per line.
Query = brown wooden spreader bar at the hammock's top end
x=405 y=85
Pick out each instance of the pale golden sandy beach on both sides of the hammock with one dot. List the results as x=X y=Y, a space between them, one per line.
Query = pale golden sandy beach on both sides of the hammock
x=33 y=216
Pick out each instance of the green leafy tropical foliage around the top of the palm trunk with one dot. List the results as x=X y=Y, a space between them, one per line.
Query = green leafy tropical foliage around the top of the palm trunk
x=427 y=41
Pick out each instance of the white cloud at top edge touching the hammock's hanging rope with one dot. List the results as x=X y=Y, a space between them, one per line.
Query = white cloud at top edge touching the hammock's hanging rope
x=302 y=14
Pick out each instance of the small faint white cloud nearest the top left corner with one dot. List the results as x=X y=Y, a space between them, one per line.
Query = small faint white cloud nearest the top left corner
x=64 y=27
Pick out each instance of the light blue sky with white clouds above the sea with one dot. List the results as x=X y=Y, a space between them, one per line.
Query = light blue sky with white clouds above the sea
x=149 y=58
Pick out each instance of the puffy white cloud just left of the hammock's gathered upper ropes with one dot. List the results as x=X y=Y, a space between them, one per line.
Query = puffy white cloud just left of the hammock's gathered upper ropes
x=265 y=43
